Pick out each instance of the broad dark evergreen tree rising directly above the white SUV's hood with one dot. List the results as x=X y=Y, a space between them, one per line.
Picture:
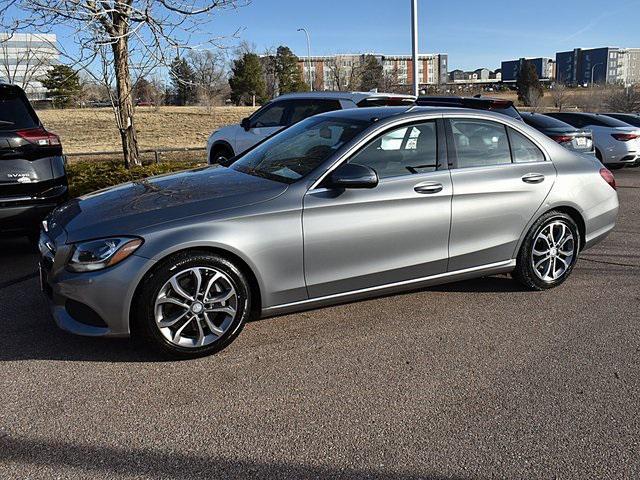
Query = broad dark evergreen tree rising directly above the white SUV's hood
x=247 y=80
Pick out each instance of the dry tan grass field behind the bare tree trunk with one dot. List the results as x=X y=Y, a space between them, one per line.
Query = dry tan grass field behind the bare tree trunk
x=94 y=129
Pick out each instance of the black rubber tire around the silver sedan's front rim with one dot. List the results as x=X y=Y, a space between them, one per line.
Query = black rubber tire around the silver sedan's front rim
x=144 y=326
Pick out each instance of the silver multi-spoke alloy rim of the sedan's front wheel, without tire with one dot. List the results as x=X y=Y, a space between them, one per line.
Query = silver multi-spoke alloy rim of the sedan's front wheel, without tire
x=196 y=306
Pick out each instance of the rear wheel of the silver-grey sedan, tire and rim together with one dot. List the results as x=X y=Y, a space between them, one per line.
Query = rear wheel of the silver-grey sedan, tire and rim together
x=549 y=252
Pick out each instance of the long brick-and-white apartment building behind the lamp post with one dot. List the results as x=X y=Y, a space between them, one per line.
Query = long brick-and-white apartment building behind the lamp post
x=341 y=71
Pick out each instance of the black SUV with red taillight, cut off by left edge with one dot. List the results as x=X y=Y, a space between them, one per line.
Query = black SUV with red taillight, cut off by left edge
x=33 y=180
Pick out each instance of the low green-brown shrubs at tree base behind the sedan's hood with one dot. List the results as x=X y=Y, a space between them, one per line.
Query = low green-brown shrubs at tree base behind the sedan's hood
x=86 y=177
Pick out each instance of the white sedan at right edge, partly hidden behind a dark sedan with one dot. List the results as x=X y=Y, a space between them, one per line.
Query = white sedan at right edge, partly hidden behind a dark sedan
x=617 y=143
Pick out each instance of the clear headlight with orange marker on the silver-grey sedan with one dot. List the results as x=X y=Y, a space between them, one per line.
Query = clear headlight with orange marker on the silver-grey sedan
x=103 y=253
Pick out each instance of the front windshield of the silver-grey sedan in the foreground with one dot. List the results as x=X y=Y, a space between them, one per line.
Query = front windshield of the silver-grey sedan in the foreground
x=300 y=149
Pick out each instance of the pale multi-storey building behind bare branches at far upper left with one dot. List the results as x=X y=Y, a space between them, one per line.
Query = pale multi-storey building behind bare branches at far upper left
x=25 y=59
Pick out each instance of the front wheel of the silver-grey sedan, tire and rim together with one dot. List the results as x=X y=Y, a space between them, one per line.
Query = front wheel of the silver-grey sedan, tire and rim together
x=193 y=304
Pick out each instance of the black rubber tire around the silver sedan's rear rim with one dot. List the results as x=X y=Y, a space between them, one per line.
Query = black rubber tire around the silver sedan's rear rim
x=525 y=272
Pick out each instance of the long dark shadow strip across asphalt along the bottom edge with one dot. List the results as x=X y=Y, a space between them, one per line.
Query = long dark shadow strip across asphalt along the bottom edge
x=109 y=462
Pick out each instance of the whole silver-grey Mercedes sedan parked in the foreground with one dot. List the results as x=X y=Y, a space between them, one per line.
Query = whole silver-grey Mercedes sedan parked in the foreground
x=341 y=206
